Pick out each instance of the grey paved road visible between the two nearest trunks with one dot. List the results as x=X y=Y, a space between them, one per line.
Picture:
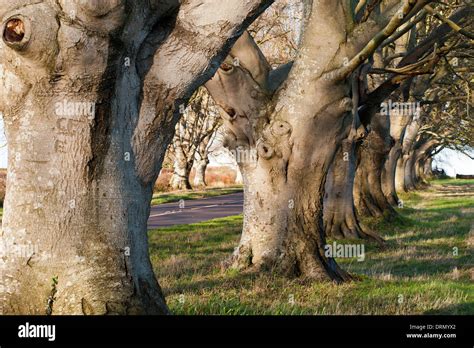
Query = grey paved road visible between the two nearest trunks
x=197 y=210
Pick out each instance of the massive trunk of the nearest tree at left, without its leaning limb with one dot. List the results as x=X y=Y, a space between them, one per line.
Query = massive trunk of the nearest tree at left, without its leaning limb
x=72 y=200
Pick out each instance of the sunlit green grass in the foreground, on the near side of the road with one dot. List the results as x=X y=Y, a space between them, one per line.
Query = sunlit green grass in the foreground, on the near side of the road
x=419 y=272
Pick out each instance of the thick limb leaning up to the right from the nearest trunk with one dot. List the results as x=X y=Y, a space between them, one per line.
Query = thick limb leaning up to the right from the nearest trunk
x=201 y=33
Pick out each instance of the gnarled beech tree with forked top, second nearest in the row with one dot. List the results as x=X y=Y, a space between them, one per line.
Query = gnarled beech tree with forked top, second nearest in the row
x=297 y=131
